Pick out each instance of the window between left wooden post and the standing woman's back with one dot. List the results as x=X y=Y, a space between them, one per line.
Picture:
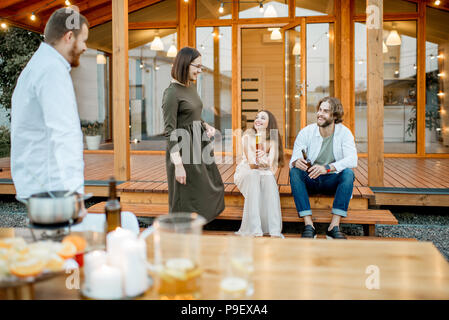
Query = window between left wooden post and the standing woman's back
x=151 y=55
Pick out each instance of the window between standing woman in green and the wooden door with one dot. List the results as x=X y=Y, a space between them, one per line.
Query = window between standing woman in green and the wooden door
x=214 y=84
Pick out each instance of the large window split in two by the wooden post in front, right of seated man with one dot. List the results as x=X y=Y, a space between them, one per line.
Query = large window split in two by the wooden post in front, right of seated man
x=399 y=55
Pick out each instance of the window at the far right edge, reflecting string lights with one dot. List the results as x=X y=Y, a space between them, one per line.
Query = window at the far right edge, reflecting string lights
x=437 y=73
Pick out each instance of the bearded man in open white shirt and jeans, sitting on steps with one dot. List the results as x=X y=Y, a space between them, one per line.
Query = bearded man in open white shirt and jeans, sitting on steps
x=330 y=148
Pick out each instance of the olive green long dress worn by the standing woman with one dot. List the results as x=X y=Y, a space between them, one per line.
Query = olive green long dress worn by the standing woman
x=204 y=191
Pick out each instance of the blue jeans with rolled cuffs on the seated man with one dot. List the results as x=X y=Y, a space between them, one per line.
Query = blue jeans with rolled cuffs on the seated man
x=338 y=184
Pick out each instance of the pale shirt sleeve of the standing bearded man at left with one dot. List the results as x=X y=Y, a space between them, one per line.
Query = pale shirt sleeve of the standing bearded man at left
x=55 y=93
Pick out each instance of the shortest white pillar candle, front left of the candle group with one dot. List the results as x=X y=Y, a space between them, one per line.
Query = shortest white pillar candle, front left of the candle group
x=106 y=283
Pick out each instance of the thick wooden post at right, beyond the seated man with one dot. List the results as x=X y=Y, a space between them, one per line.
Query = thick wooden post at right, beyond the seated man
x=375 y=88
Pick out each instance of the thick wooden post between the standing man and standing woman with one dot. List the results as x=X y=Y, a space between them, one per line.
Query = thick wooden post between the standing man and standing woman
x=120 y=89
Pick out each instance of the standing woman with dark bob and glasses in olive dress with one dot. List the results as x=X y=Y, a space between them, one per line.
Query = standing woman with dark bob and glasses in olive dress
x=194 y=185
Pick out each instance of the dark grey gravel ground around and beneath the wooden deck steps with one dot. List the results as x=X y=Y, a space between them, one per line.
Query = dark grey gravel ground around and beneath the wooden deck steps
x=421 y=223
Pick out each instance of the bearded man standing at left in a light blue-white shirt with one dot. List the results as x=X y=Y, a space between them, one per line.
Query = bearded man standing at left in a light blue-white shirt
x=46 y=137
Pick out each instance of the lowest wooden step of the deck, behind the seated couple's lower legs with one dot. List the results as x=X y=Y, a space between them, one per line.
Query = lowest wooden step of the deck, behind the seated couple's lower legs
x=367 y=218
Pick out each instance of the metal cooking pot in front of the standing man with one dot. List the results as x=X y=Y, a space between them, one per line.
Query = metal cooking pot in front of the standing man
x=46 y=208
